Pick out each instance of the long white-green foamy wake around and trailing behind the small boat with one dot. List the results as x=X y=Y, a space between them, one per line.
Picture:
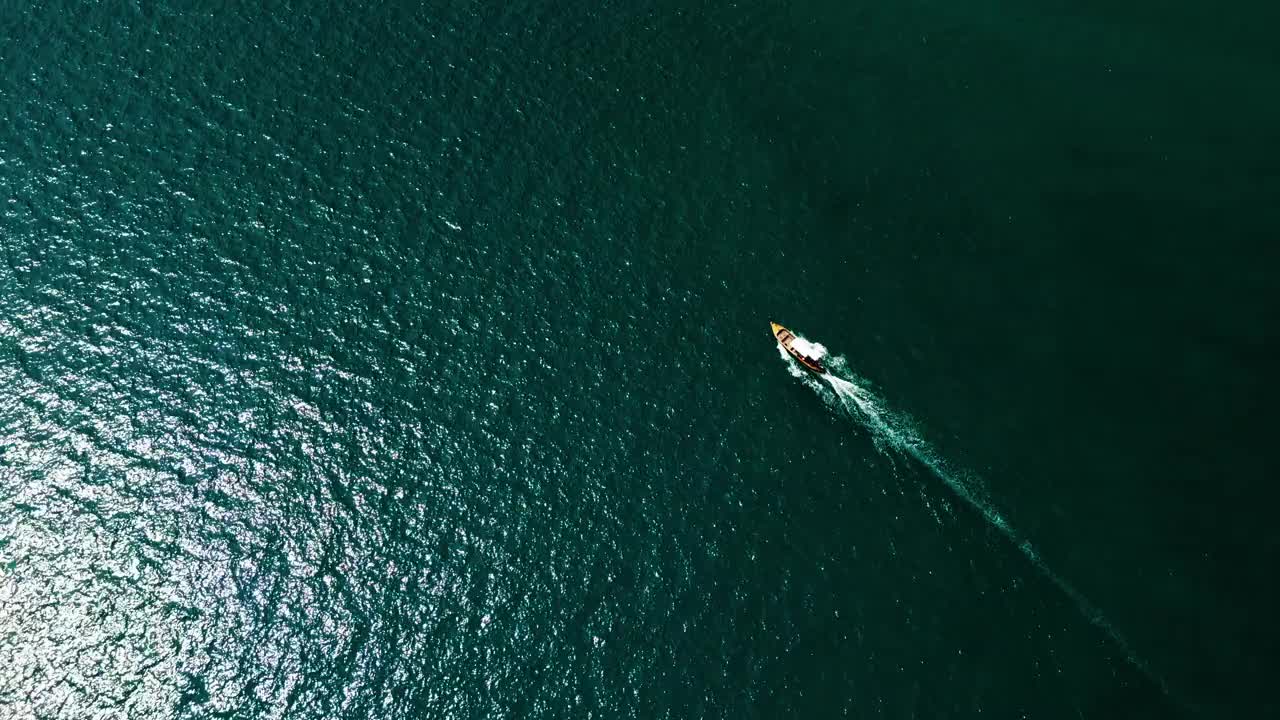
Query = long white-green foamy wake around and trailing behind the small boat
x=898 y=438
